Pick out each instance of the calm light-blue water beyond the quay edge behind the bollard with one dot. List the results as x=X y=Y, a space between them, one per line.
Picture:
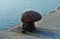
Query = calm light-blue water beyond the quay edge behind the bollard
x=11 y=10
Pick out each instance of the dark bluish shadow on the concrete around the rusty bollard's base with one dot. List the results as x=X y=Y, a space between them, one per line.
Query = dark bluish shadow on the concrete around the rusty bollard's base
x=36 y=33
